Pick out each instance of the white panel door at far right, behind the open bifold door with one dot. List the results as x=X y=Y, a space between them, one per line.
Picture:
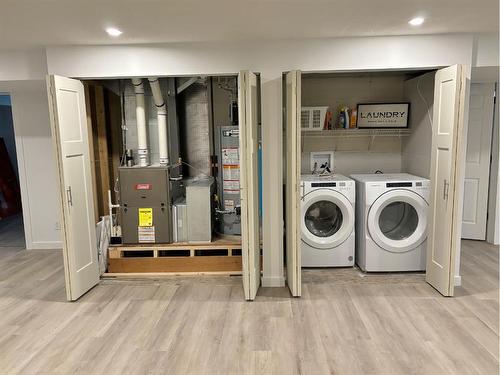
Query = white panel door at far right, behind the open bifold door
x=477 y=167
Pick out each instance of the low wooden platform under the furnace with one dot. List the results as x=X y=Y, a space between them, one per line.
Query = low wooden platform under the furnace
x=220 y=256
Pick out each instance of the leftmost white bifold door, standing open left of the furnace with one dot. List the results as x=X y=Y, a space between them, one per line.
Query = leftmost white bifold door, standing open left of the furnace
x=71 y=144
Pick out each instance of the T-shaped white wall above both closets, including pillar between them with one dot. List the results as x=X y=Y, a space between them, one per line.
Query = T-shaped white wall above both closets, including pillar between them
x=271 y=59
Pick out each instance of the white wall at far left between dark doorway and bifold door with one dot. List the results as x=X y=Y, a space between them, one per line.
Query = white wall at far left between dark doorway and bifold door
x=36 y=163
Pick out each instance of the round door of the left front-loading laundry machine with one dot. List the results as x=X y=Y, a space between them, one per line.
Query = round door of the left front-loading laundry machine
x=327 y=218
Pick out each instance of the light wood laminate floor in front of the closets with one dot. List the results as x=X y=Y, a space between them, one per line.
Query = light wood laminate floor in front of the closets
x=345 y=323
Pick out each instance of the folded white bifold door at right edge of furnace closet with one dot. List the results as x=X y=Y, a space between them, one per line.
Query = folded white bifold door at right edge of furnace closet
x=249 y=188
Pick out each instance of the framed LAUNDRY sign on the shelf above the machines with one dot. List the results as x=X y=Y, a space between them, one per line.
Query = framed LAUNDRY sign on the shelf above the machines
x=383 y=115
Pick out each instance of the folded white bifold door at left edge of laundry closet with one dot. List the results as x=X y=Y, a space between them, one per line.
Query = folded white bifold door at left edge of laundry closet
x=293 y=135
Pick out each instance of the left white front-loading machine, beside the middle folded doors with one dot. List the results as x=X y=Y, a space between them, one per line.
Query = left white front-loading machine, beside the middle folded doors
x=327 y=221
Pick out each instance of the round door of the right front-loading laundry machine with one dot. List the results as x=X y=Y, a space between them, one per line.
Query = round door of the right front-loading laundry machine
x=397 y=220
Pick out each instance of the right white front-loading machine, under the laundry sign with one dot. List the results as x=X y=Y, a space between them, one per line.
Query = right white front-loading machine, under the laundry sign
x=391 y=222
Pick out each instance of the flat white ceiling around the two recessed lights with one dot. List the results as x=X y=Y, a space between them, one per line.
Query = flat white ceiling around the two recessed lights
x=35 y=23
